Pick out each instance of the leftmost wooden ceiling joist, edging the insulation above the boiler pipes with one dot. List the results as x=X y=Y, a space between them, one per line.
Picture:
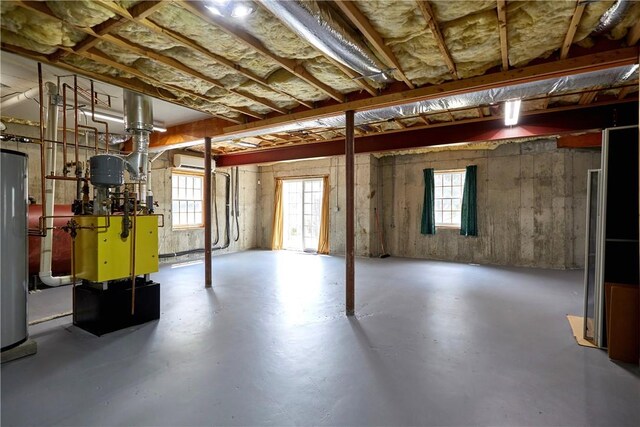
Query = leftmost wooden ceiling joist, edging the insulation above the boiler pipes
x=130 y=84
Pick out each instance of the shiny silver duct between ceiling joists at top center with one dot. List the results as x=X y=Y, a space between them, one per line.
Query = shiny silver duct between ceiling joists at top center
x=323 y=30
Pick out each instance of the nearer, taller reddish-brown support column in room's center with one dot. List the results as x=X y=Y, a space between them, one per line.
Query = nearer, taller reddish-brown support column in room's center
x=350 y=194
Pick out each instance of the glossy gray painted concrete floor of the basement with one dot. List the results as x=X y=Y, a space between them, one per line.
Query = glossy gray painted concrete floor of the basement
x=432 y=343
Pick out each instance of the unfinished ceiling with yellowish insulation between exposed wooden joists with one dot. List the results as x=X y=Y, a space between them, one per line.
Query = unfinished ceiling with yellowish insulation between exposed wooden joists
x=263 y=65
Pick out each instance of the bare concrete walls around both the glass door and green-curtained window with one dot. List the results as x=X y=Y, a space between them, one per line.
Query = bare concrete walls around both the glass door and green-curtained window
x=531 y=204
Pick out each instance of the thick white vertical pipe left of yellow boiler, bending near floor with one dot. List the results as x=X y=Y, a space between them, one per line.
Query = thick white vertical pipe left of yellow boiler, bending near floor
x=46 y=247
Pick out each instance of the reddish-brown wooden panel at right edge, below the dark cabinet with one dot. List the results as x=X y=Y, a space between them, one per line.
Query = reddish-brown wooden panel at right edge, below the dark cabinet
x=623 y=328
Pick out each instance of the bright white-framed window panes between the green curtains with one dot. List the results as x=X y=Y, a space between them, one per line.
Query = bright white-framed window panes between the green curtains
x=448 y=187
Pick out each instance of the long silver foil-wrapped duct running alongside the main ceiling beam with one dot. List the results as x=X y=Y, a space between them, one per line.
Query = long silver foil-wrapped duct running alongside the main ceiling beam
x=554 y=86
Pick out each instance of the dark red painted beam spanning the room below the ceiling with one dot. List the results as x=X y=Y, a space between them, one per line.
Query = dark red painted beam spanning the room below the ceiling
x=532 y=125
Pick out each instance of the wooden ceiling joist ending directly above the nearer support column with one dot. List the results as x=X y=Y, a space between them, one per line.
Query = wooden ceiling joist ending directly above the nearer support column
x=198 y=9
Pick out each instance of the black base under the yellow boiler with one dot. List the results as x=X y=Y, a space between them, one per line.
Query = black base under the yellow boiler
x=103 y=311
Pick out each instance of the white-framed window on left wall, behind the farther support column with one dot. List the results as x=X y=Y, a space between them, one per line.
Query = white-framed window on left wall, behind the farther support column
x=186 y=200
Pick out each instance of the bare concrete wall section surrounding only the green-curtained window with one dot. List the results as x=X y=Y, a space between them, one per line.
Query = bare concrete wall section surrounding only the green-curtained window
x=531 y=205
